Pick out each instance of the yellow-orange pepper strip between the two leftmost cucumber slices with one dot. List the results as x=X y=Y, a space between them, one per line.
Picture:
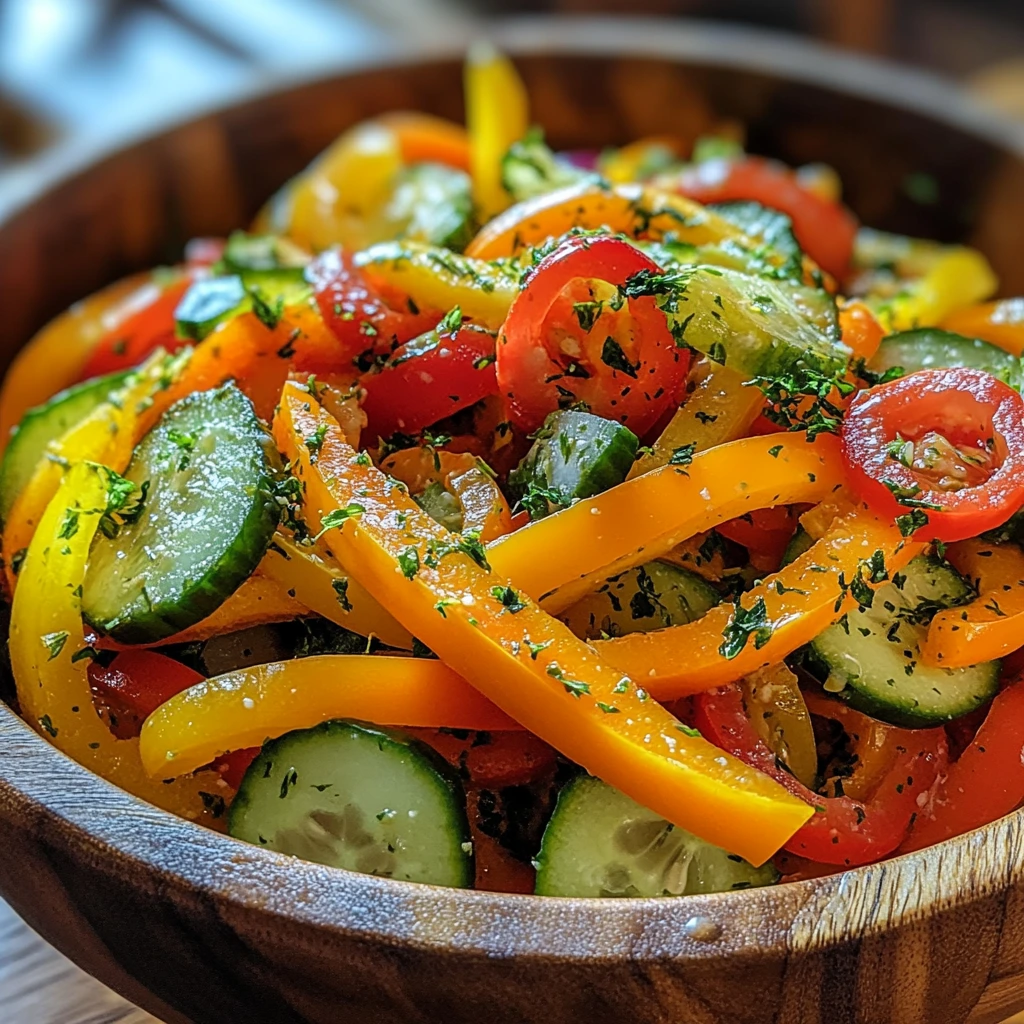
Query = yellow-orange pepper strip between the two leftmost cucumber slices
x=108 y=437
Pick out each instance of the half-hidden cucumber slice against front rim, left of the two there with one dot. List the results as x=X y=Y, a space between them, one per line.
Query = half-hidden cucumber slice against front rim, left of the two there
x=358 y=797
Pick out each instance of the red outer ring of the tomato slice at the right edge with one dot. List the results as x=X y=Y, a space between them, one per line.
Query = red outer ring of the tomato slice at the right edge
x=966 y=406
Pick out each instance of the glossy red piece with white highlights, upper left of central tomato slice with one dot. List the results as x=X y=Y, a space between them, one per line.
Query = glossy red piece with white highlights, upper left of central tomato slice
x=357 y=314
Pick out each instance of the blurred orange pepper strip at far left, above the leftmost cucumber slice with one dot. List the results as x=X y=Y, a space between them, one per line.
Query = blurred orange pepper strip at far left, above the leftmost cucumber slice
x=55 y=358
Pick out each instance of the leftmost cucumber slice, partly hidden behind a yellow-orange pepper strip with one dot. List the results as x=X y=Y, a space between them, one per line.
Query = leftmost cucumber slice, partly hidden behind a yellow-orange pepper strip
x=44 y=424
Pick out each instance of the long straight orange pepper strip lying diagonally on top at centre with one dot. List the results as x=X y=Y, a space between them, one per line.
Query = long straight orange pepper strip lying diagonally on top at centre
x=525 y=661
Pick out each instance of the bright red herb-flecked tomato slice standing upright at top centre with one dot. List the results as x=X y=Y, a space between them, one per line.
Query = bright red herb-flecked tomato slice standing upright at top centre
x=552 y=353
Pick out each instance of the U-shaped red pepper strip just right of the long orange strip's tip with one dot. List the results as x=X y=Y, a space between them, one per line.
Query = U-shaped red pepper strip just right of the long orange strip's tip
x=844 y=831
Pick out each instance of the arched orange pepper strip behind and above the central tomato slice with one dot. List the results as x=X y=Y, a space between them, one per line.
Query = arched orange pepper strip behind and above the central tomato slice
x=635 y=210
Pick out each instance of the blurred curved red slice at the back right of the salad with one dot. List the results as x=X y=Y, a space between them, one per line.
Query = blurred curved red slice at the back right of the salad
x=826 y=231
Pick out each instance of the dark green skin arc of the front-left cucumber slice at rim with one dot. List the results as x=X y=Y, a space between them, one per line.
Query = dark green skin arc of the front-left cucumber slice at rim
x=260 y=773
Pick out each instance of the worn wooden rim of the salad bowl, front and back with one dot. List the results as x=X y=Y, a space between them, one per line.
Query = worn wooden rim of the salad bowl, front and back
x=84 y=816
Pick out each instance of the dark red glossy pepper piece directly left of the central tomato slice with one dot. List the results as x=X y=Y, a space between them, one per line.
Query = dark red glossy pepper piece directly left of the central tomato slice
x=430 y=378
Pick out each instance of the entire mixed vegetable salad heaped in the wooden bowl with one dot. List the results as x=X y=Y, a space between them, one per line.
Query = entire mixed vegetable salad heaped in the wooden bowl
x=632 y=524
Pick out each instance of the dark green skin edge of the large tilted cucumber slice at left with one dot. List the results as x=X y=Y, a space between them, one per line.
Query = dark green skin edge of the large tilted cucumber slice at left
x=136 y=625
